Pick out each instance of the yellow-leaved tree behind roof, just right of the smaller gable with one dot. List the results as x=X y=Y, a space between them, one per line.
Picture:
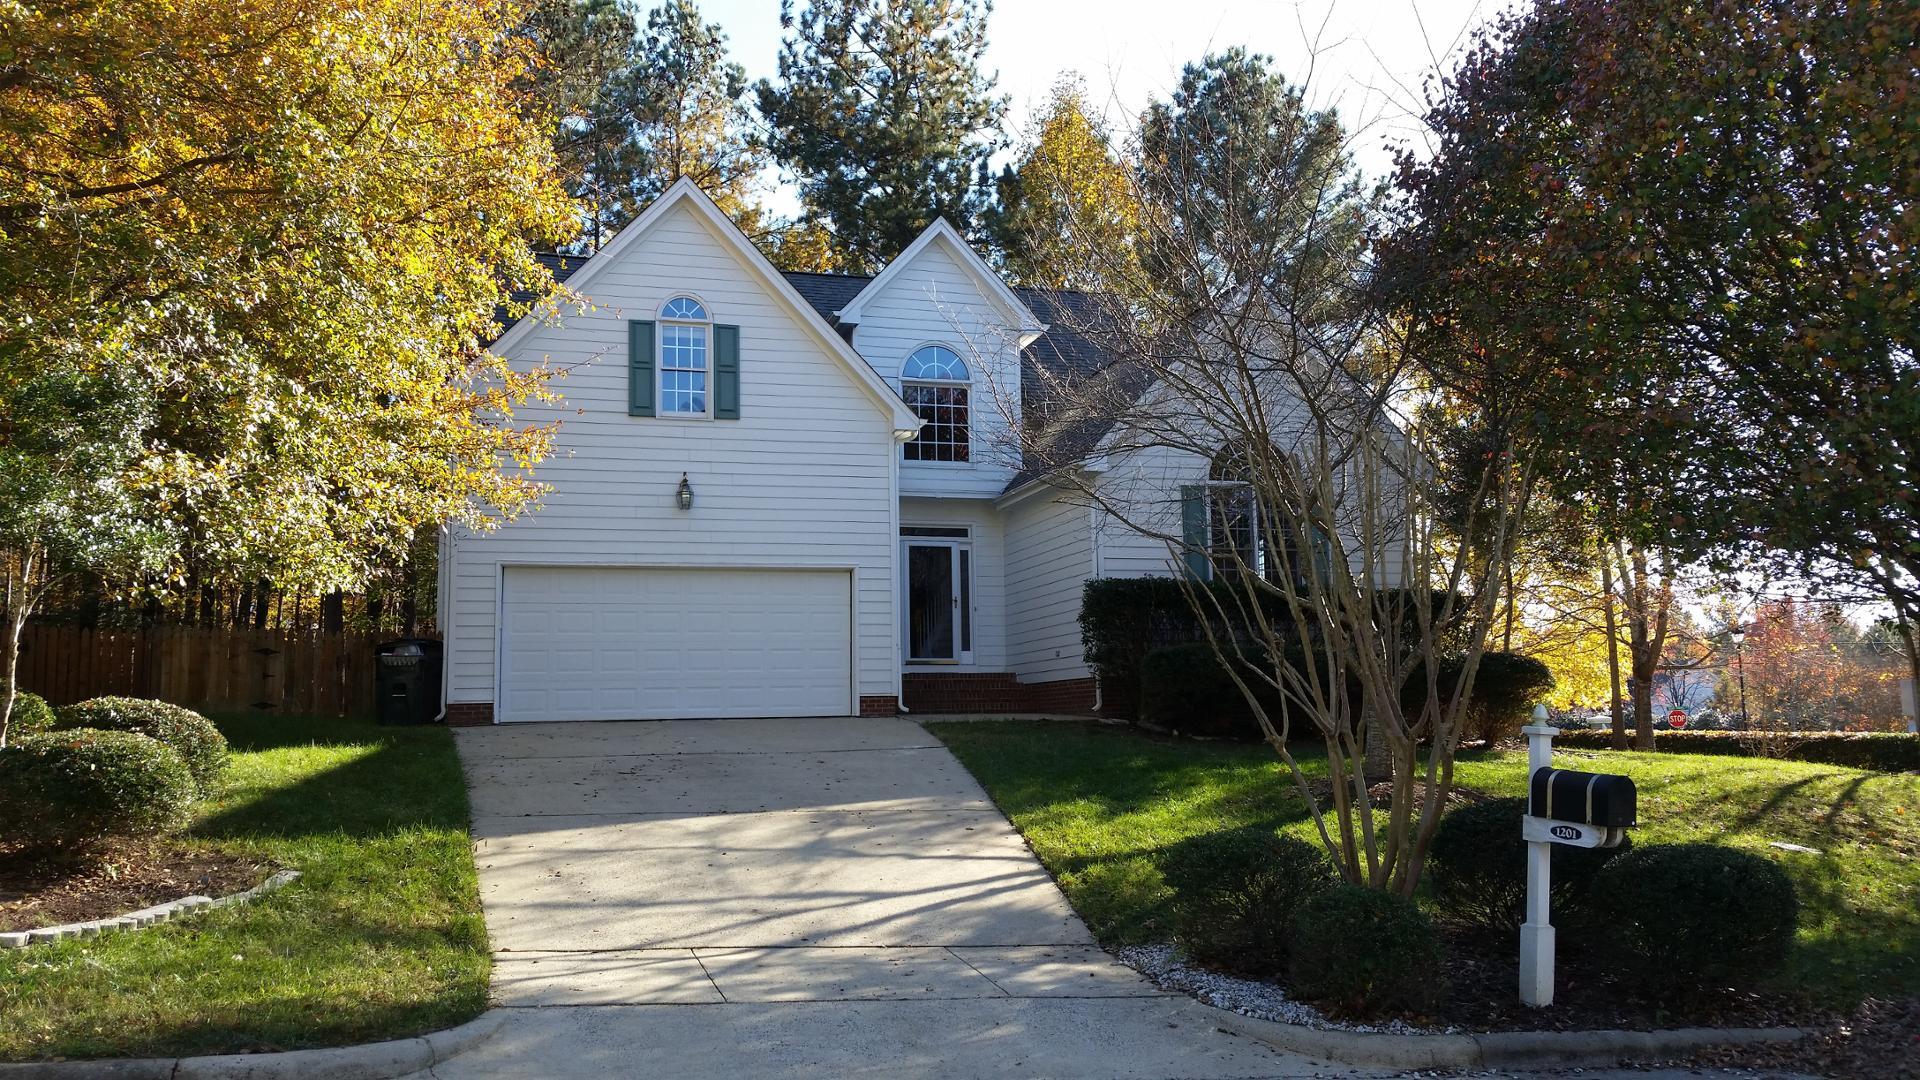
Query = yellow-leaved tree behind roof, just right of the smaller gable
x=1068 y=201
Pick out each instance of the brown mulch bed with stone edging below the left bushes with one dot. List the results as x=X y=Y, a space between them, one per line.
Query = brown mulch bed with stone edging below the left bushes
x=47 y=893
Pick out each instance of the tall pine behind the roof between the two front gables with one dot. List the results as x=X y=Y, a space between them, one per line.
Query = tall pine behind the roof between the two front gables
x=886 y=118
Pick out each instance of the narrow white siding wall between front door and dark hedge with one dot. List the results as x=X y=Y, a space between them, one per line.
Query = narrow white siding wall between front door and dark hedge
x=1049 y=558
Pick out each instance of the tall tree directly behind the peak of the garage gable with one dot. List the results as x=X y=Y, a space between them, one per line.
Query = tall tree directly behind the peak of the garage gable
x=642 y=109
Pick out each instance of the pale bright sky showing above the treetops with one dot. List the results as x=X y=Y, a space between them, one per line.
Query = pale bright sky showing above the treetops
x=1370 y=61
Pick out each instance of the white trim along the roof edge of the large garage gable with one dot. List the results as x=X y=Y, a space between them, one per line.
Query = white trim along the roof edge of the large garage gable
x=736 y=243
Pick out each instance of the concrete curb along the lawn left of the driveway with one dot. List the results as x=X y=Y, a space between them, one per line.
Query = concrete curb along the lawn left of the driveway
x=370 y=1062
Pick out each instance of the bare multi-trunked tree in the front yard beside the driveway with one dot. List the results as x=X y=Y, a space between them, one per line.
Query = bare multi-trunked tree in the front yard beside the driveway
x=1314 y=528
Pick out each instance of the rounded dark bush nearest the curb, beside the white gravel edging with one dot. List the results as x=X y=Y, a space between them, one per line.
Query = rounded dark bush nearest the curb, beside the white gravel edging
x=1362 y=952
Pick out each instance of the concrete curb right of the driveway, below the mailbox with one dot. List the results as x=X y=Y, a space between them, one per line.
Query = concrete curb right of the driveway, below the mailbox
x=1497 y=1050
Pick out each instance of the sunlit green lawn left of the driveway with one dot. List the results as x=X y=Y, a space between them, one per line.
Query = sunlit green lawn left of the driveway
x=381 y=939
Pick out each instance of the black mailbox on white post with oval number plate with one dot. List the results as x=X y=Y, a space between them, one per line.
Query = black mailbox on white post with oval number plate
x=1581 y=810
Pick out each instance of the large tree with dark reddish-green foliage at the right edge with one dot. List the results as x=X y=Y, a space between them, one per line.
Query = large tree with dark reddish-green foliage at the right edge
x=1691 y=230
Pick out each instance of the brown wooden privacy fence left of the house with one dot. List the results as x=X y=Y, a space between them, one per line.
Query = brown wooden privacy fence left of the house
x=208 y=670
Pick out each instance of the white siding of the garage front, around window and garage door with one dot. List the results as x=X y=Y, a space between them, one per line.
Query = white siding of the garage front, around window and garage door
x=804 y=479
